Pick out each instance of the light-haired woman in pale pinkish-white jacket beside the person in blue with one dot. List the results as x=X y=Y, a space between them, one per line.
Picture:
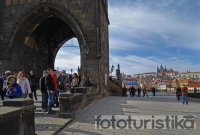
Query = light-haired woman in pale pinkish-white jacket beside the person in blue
x=24 y=84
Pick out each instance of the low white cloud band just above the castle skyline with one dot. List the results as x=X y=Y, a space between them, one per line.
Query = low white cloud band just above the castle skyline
x=132 y=64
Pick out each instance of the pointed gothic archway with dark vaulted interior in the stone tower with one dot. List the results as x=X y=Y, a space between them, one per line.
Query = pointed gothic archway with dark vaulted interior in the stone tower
x=37 y=38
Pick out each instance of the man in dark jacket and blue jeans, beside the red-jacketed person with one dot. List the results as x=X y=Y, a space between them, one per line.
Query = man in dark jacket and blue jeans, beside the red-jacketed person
x=51 y=91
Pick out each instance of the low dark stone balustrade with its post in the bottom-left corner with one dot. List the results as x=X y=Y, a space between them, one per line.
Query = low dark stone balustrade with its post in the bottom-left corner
x=17 y=117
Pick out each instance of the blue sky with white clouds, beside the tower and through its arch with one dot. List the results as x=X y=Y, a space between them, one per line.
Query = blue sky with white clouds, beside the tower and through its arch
x=147 y=33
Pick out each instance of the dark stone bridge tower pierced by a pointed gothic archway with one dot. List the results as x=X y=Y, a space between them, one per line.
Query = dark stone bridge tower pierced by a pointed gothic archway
x=32 y=32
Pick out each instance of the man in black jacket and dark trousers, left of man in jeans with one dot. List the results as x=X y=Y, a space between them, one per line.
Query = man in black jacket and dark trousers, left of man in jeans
x=44 y=91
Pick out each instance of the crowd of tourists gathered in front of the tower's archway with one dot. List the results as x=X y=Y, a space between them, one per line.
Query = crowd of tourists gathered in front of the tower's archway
x=25 y=85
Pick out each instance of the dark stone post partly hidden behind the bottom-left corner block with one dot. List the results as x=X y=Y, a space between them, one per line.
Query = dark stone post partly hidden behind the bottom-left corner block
x=27 y=115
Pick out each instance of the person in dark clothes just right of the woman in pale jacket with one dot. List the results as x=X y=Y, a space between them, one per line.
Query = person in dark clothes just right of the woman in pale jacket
x=33 y=83
